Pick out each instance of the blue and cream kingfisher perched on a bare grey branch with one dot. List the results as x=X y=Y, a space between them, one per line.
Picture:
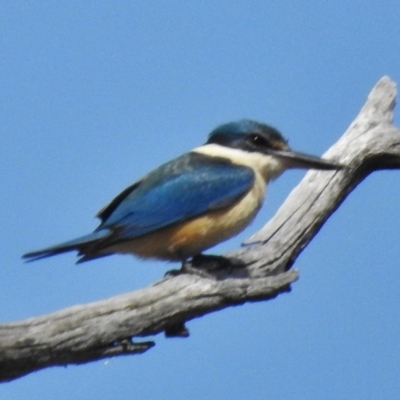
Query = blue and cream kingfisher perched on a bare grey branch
x=195 y=201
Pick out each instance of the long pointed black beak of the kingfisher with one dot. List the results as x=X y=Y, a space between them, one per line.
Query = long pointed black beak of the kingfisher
x=294 y=159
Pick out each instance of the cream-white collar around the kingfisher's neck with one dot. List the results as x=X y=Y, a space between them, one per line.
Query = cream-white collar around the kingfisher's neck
x=266 y=166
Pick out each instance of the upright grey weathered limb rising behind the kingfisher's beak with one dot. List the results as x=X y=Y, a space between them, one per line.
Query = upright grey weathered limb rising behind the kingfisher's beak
x=370 y=143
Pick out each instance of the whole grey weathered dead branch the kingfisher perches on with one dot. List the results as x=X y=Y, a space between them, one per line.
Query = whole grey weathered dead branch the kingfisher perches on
x=257 y=272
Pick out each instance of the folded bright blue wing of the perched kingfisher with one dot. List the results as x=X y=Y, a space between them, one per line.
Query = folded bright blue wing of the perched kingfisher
x=179 y=190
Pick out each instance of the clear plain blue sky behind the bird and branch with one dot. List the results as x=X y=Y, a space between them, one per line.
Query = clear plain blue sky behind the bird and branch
x=96 y=94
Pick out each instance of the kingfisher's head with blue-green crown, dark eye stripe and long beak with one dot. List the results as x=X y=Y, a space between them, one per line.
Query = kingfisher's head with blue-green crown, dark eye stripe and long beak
x=255 y=137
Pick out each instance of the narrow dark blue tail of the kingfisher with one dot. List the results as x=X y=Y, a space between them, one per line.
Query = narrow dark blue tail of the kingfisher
x=82 y=244
